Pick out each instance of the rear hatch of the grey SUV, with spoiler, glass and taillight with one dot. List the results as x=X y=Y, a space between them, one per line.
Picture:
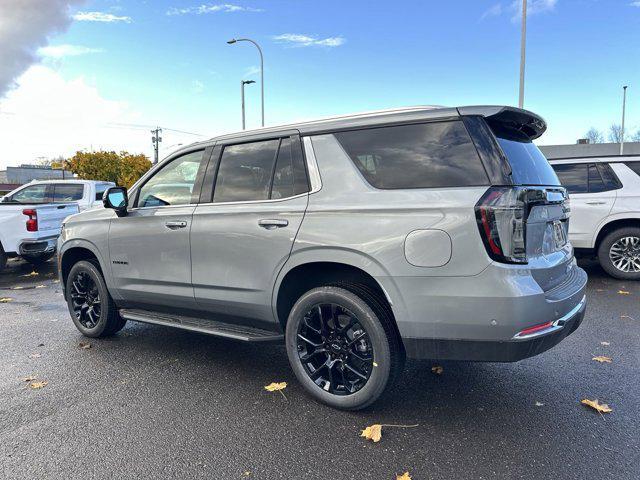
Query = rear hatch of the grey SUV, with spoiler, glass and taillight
x=530 y=210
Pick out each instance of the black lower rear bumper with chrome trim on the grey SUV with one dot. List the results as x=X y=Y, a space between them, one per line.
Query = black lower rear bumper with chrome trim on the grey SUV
x=490 y=351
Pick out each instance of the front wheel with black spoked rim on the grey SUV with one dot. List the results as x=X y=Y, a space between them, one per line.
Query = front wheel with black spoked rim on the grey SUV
x=91 y=318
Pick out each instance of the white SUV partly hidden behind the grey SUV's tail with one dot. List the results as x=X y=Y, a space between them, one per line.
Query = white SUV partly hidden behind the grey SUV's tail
x=605 y=210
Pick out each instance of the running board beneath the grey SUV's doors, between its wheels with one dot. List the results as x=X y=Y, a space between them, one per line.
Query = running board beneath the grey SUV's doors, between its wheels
x=210 y=327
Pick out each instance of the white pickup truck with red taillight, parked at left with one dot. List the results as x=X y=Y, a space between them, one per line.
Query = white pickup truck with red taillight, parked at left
x=31 y=216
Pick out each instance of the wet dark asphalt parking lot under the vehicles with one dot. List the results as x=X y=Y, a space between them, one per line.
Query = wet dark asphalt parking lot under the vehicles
x=153 y=402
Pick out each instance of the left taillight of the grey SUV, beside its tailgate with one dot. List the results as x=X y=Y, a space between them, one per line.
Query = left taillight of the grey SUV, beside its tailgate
x=501 y=216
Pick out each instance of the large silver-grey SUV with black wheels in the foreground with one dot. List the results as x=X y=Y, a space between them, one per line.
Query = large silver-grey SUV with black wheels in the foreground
x=436 y=233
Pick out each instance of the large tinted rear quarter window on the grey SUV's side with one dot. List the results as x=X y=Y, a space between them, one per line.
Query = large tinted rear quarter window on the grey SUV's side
x=429 y=155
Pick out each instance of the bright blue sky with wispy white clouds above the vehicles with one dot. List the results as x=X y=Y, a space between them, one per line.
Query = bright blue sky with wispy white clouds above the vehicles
x=167 y=61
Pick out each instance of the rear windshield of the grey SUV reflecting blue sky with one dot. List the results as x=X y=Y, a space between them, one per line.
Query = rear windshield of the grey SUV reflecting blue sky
x=528 y=165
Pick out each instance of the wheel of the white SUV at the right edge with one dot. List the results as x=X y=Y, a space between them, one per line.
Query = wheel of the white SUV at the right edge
x=624 y=245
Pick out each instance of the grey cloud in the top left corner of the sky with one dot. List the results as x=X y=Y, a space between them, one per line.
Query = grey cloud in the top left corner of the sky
x=25 y=26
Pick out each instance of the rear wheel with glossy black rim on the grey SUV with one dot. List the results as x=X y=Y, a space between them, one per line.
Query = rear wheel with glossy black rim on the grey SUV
x=335 y=358
